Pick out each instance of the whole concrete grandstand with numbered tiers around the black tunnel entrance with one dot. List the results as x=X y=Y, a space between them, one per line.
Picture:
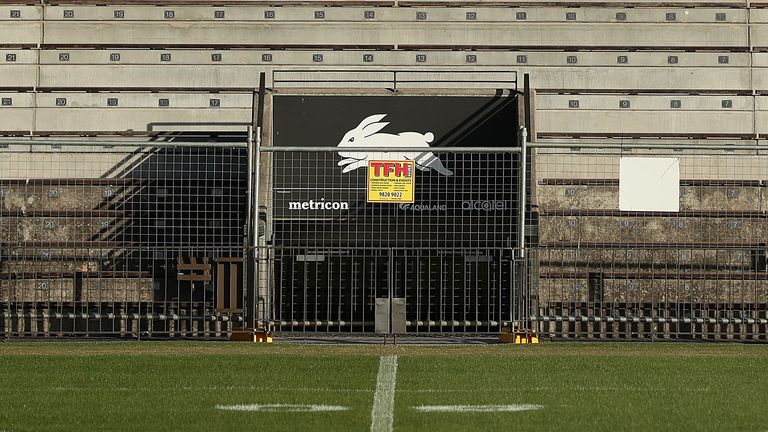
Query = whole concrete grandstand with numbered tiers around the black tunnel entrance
x=82 y=250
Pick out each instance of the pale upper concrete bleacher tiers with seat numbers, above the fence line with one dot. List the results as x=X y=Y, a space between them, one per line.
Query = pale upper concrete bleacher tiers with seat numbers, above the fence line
x=635 y=69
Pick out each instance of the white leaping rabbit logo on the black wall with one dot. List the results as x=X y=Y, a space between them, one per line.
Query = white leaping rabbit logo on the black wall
x=364 y=135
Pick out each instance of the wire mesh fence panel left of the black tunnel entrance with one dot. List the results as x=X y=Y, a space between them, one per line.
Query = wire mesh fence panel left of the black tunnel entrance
x=119 y=238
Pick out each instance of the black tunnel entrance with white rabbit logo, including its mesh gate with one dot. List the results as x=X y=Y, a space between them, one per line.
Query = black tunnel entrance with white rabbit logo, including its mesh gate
x=389 y=213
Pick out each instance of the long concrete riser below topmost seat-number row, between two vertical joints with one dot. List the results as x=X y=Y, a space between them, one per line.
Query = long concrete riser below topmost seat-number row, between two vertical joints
x=396 y=33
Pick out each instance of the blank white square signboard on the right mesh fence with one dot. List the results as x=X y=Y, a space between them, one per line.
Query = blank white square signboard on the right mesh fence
x=649 y=184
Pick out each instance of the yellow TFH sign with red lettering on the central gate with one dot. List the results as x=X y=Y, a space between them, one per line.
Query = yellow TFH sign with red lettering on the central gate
x=391 y=181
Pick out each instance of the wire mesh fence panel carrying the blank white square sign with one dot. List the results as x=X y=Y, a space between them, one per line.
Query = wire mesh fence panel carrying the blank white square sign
x=614 y=260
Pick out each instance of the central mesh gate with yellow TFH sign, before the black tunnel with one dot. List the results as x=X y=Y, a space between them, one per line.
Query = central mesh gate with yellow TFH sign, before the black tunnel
x=341 y=255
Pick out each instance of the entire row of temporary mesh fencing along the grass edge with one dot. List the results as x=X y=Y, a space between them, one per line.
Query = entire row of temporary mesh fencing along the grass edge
x=149 y=239
